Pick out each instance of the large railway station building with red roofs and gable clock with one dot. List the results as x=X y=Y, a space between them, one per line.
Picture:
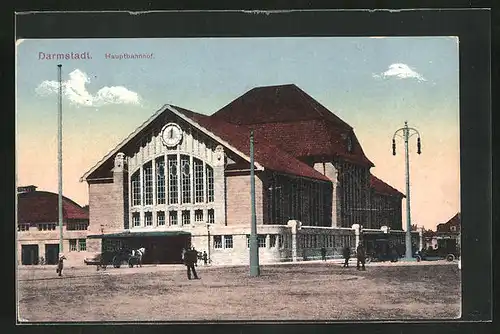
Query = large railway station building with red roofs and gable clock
x=183 y=178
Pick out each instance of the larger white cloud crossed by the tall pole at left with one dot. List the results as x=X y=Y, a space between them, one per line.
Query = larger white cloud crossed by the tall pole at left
x=75 y=90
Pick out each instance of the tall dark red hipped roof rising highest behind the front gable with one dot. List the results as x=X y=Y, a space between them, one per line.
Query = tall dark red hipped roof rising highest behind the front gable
x=292 y=120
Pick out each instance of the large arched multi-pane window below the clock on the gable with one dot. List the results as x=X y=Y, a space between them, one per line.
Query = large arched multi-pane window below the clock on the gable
x=176 y=188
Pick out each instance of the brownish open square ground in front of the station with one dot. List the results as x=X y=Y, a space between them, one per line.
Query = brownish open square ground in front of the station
x=307 y=291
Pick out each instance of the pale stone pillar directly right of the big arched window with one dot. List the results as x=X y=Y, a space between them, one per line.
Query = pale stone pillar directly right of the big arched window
x=219 y=186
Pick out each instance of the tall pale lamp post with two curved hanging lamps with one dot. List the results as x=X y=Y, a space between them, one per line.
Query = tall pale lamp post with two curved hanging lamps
x=405 y=133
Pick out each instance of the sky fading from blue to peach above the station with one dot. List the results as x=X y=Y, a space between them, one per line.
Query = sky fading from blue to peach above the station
x=374 y=84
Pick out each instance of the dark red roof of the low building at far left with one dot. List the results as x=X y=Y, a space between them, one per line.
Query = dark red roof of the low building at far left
x=42 y=206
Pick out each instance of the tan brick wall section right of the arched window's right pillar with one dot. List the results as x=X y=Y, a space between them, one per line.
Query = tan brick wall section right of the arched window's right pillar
x=238 y=199
